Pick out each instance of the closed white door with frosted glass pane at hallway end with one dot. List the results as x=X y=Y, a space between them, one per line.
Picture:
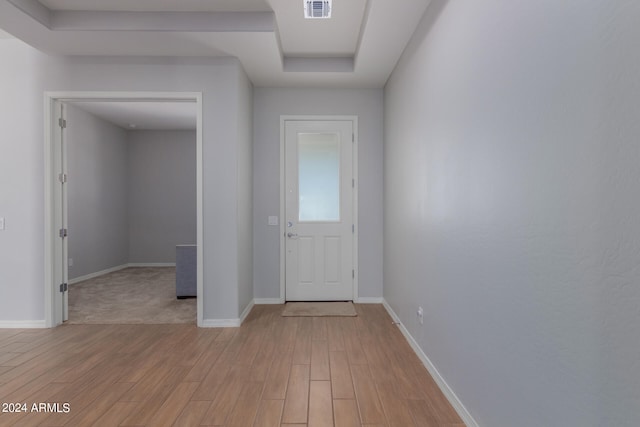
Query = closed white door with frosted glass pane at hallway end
x=319 y=210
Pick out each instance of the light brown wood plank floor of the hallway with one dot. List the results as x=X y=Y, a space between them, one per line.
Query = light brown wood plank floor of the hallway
x=272 y=371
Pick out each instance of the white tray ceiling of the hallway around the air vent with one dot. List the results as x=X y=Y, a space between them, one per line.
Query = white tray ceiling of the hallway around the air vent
x=358 y=47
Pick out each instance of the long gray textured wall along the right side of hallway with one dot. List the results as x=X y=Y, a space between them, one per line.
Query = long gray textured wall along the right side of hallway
x=511 y=207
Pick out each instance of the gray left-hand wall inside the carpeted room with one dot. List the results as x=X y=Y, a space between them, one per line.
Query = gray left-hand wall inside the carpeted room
x=97 y=193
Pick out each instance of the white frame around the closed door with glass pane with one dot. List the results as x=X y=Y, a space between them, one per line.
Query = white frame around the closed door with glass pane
x=283 y=120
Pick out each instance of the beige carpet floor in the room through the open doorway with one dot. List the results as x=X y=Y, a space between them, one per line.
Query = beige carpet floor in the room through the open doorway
x=137 y=295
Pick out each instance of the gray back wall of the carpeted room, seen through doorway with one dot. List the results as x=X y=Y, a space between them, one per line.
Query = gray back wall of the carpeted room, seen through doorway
x=162 y=194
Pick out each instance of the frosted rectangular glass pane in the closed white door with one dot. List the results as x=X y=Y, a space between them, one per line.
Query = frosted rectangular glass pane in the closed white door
x=319 y=177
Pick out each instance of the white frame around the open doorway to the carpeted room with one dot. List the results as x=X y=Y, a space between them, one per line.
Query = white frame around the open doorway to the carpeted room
x=52 y=312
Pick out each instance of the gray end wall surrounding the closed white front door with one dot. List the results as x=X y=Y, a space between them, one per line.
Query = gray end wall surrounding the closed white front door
x=269 y=105
